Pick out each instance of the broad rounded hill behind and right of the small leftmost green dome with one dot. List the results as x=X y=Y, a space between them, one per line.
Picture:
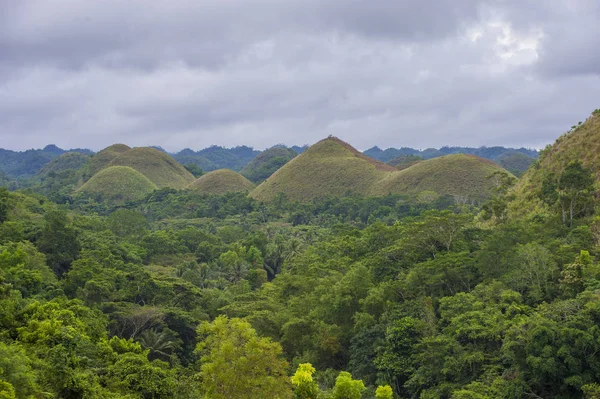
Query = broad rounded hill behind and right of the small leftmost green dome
x=157 y=166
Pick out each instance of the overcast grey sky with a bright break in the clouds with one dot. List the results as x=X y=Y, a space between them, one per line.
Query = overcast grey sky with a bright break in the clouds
x=392 y=73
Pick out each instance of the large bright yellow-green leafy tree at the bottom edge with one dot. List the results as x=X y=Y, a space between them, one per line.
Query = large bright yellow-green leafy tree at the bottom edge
x=238 y=364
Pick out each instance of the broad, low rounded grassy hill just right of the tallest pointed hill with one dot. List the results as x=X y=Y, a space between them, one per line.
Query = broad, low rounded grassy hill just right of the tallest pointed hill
x=459 y=175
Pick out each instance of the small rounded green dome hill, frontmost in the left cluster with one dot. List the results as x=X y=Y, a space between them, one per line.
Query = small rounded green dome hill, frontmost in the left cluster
x=118 y=184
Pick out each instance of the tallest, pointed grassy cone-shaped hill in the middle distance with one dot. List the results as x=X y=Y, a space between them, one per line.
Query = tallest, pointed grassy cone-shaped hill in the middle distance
x=330 y=167
